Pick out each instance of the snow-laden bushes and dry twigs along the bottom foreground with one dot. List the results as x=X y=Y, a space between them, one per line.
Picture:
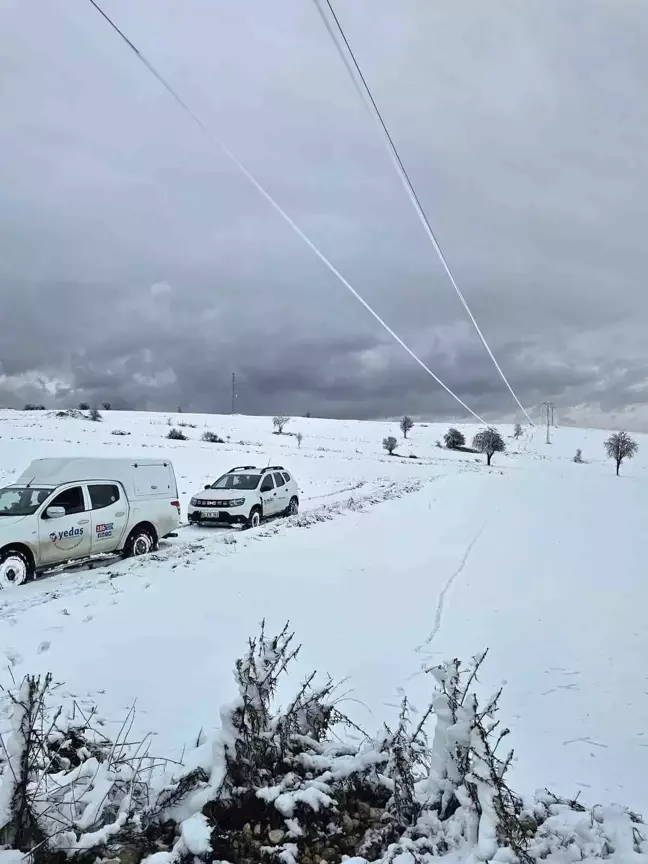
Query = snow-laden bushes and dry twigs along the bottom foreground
x=286 y=784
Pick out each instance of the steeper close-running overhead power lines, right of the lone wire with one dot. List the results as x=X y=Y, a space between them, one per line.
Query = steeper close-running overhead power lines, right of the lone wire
x=336 y=33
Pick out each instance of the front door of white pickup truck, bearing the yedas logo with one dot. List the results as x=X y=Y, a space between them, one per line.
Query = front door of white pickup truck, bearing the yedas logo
x=68 y=537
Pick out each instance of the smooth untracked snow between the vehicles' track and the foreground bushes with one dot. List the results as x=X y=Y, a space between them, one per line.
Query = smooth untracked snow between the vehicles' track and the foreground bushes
x=475 y=560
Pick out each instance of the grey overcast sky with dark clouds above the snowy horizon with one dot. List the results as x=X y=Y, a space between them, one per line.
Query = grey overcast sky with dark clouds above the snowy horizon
x=138 y=266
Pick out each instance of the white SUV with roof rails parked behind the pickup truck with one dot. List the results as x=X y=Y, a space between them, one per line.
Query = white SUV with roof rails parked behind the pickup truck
x=245 y=496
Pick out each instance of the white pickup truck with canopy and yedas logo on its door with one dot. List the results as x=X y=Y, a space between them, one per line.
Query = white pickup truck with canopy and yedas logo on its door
x=67 y=510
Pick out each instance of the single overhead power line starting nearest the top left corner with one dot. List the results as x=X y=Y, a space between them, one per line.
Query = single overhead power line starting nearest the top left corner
x=217 y=141
